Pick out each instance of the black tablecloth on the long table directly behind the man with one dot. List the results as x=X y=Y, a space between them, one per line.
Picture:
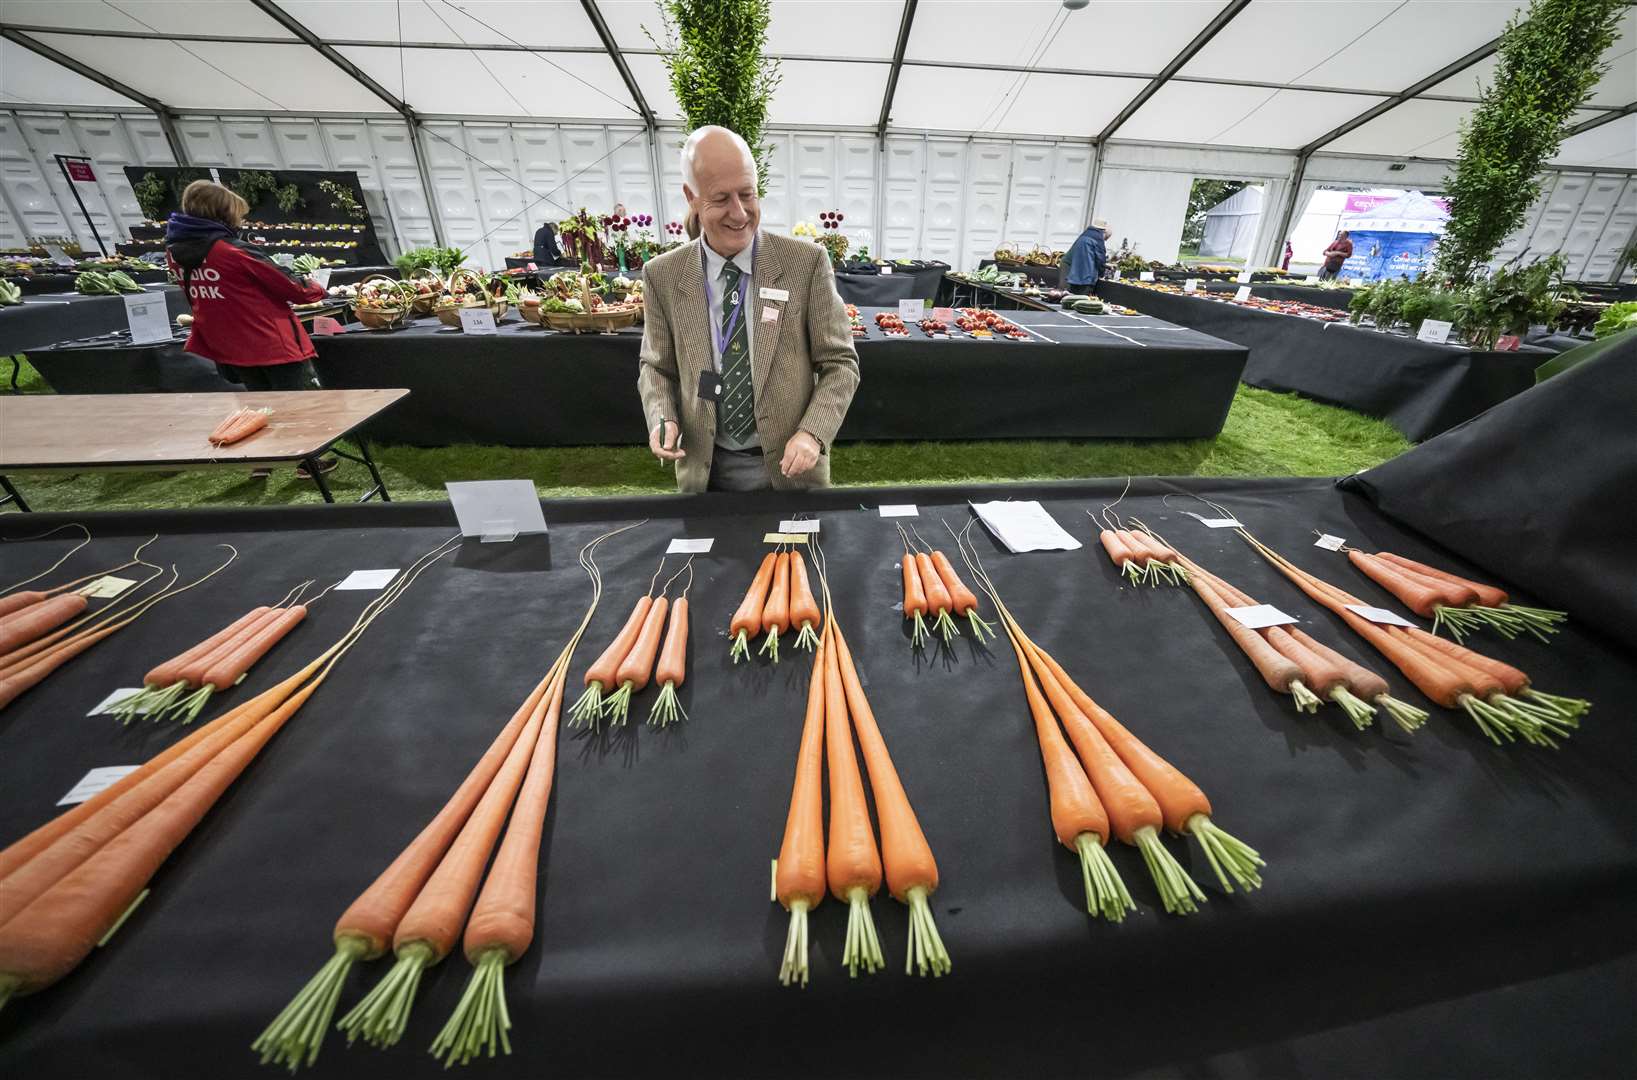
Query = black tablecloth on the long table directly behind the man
x=528 y=389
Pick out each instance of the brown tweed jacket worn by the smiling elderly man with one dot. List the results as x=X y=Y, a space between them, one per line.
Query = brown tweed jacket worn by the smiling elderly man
x=805 y=367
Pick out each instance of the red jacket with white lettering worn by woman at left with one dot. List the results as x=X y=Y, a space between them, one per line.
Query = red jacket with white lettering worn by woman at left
x=241 y=304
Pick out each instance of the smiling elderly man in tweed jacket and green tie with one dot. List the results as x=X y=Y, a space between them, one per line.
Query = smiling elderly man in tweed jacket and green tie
x=747 y=358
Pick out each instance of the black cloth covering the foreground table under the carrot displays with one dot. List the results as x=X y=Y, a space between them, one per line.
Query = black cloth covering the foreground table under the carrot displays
x=1405 y=873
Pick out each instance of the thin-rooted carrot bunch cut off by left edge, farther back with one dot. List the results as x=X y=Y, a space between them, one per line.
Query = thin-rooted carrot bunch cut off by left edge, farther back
x=38 y=637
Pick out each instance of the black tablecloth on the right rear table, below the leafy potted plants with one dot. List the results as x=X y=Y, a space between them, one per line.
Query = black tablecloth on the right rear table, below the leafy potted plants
x=1417 y=387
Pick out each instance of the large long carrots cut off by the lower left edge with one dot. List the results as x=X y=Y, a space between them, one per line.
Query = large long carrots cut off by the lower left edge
x=60 y=927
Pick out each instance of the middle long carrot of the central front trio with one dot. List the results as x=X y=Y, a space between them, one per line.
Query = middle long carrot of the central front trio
x=852 y=858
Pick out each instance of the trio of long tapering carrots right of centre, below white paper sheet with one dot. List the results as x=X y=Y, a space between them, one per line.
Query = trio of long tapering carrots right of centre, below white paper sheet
x=1114 y=786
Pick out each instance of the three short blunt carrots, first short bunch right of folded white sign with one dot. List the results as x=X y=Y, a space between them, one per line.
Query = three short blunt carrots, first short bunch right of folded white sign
x=628 y=665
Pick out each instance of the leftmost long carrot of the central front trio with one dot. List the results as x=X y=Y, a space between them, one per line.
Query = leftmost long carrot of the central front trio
x=800 y=871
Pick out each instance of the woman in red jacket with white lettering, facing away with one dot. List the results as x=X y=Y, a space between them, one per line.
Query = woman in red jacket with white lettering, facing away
x=240 y=297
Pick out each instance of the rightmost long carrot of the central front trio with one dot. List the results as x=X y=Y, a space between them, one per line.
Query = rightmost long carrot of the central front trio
x=913 y=873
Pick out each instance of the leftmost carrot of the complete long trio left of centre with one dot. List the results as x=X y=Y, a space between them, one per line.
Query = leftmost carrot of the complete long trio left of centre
x=369 y=925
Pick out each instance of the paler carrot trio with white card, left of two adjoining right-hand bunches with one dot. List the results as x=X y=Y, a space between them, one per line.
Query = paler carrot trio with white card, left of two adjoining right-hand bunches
x=1294 y=664
